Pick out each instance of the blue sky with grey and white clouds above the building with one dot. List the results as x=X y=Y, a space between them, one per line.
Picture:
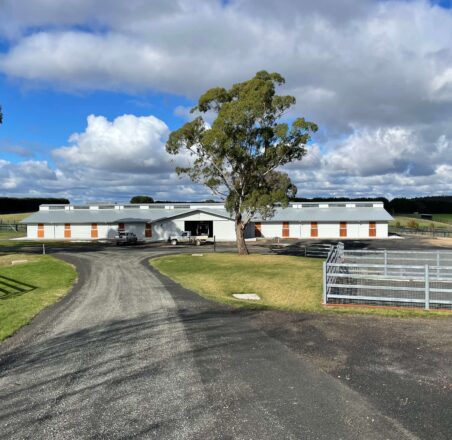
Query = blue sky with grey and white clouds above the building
x=91 y=90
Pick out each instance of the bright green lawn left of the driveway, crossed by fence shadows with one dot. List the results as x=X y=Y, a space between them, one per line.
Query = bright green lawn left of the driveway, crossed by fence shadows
x=28 y=287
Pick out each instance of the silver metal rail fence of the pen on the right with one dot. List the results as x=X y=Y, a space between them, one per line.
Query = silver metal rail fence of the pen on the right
x=391 y=278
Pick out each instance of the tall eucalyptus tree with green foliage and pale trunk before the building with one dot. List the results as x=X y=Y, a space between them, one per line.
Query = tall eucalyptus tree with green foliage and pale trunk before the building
x=238 y=156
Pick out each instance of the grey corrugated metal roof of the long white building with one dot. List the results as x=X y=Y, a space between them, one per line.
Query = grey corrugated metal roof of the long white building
x=152 y=215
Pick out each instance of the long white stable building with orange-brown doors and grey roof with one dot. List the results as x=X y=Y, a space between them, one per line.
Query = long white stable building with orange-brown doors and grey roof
x=157 y=221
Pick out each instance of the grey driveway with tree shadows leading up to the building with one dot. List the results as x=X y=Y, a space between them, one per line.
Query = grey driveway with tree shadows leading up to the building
x=129 y=354
